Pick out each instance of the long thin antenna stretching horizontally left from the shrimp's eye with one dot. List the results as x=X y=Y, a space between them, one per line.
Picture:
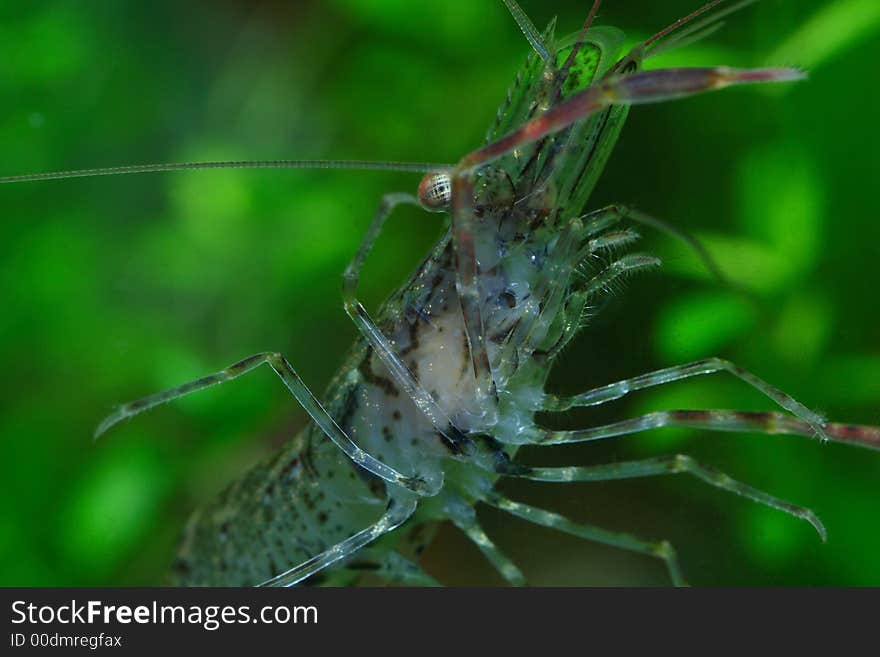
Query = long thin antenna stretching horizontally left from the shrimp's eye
x=360 y=165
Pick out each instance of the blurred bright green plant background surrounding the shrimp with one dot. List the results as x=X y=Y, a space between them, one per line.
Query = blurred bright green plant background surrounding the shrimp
x=117 y=287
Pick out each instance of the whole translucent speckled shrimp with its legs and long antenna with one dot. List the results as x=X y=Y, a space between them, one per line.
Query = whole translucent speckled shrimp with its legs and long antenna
x=443 y=387
